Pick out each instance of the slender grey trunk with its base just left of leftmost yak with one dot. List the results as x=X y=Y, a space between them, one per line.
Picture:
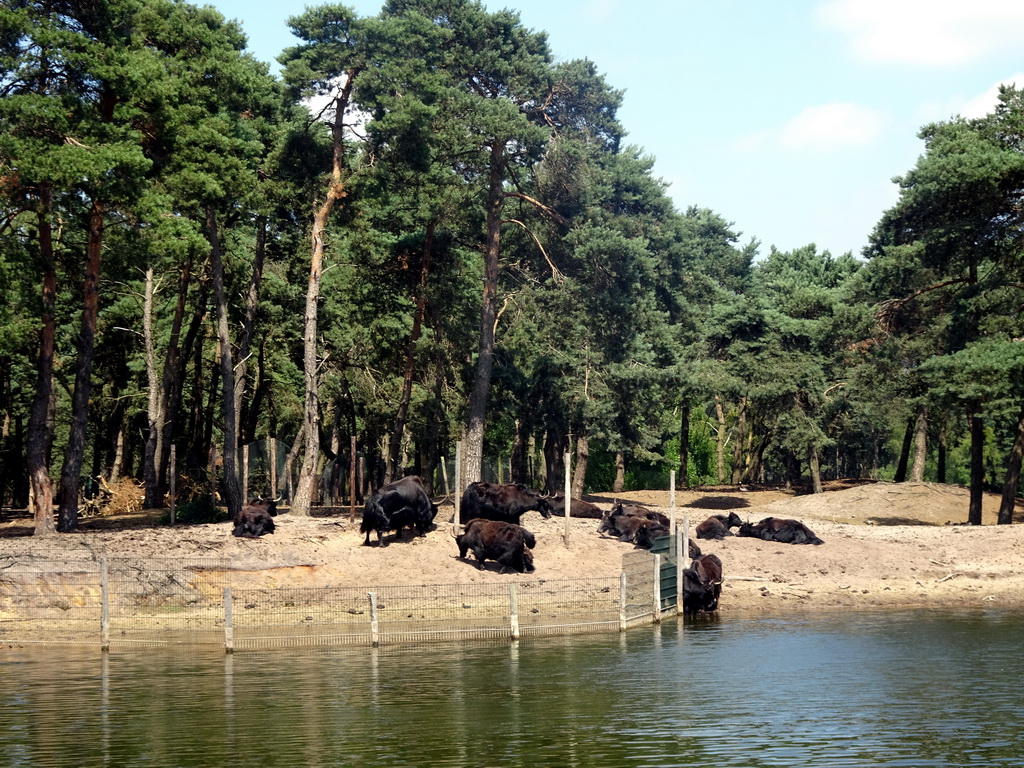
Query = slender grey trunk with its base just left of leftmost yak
x=233 y=492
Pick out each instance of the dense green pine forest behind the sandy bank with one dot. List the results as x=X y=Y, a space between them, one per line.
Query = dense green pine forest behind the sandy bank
x=456 y=244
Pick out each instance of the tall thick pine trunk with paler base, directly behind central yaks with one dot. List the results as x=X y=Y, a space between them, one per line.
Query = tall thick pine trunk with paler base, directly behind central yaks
x=474 y=458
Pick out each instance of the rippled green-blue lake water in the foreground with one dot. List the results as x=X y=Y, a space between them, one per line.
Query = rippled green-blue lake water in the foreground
x=860 y=690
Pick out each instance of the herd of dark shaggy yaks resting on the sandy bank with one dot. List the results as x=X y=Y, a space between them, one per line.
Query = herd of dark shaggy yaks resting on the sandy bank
x=490 y=516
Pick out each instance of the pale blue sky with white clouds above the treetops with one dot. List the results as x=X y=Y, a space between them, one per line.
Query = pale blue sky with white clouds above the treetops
x=790 y=119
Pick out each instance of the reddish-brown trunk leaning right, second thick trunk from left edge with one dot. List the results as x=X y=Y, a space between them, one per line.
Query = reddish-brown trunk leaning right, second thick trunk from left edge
x=75 y=452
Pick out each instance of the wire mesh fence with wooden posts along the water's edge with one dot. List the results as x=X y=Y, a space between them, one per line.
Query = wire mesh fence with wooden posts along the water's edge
x=120 y=603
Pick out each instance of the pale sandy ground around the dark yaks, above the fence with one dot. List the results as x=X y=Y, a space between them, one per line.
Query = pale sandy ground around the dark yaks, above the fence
x=885 y=545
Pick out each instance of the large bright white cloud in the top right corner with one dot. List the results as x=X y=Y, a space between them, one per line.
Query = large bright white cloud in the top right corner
x=935 y=33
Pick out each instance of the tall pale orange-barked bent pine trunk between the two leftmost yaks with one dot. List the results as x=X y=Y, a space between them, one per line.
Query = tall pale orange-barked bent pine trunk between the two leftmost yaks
x=336 y=190
